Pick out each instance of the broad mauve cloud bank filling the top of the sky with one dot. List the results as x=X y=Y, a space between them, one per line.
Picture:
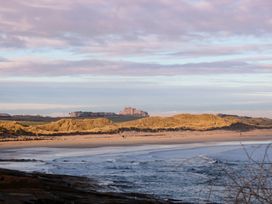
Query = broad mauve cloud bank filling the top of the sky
x=109 y=20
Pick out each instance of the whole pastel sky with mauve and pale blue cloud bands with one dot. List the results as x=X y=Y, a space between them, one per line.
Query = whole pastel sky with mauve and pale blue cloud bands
x=162 y=56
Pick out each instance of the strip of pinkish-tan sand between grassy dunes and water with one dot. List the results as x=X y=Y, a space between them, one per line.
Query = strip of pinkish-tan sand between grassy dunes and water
x=142 y=138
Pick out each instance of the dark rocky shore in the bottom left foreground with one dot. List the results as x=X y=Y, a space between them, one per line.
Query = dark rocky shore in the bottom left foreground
x=29 y=188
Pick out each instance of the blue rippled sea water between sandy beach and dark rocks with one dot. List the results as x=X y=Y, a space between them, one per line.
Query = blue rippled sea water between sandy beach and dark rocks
x=187 y=172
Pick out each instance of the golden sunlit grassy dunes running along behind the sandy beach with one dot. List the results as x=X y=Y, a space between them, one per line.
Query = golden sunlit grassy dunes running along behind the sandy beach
x=103 y=125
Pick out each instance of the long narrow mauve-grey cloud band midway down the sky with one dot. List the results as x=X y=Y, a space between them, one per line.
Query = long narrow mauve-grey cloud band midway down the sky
x=28 y=67
